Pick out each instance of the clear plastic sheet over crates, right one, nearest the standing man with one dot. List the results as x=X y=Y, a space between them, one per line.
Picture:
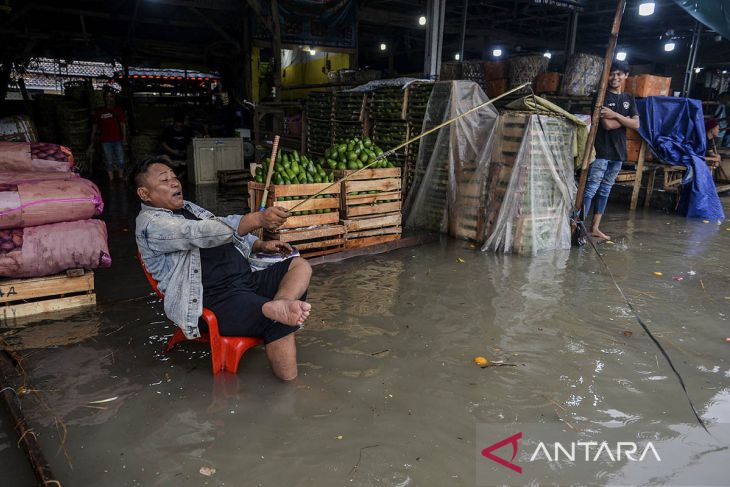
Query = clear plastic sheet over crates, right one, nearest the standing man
x=534 y=214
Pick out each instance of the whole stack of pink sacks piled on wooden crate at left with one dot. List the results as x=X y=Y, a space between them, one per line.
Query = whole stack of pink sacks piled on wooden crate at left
x=47 y=212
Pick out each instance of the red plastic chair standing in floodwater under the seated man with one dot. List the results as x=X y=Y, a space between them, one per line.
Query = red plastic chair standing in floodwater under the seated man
x=226 y=352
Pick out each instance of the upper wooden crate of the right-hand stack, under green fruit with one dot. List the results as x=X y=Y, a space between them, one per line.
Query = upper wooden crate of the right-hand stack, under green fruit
x=387 y=196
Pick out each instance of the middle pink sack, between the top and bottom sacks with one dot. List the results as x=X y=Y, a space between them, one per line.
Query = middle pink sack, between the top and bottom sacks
x=34 y=203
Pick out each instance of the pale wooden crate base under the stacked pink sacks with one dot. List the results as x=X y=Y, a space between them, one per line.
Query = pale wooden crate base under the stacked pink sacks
x=20 y=298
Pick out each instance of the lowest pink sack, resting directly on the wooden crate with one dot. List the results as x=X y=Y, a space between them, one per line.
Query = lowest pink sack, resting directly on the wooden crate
x=50 y=249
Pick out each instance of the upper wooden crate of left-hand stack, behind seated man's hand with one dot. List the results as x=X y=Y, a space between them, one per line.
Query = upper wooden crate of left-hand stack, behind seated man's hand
x=330 y=201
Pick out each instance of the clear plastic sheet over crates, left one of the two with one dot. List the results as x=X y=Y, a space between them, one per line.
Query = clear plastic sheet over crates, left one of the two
x=449 y=190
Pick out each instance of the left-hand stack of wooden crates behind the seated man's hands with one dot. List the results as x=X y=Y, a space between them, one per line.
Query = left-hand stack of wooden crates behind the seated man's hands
x=314 y=228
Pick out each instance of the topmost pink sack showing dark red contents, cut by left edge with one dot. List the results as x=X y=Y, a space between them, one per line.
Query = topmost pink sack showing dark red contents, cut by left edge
x=35 y=156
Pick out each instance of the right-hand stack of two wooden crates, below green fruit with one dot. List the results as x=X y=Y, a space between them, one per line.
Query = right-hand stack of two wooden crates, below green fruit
x=371 y=206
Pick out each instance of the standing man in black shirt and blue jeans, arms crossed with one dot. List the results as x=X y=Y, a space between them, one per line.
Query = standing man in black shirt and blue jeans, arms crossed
x=618 y=113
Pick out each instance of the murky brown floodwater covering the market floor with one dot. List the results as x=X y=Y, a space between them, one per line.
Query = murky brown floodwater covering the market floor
x=388 y=394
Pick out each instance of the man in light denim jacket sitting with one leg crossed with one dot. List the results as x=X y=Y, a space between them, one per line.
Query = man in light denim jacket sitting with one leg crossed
x=201 y=260
